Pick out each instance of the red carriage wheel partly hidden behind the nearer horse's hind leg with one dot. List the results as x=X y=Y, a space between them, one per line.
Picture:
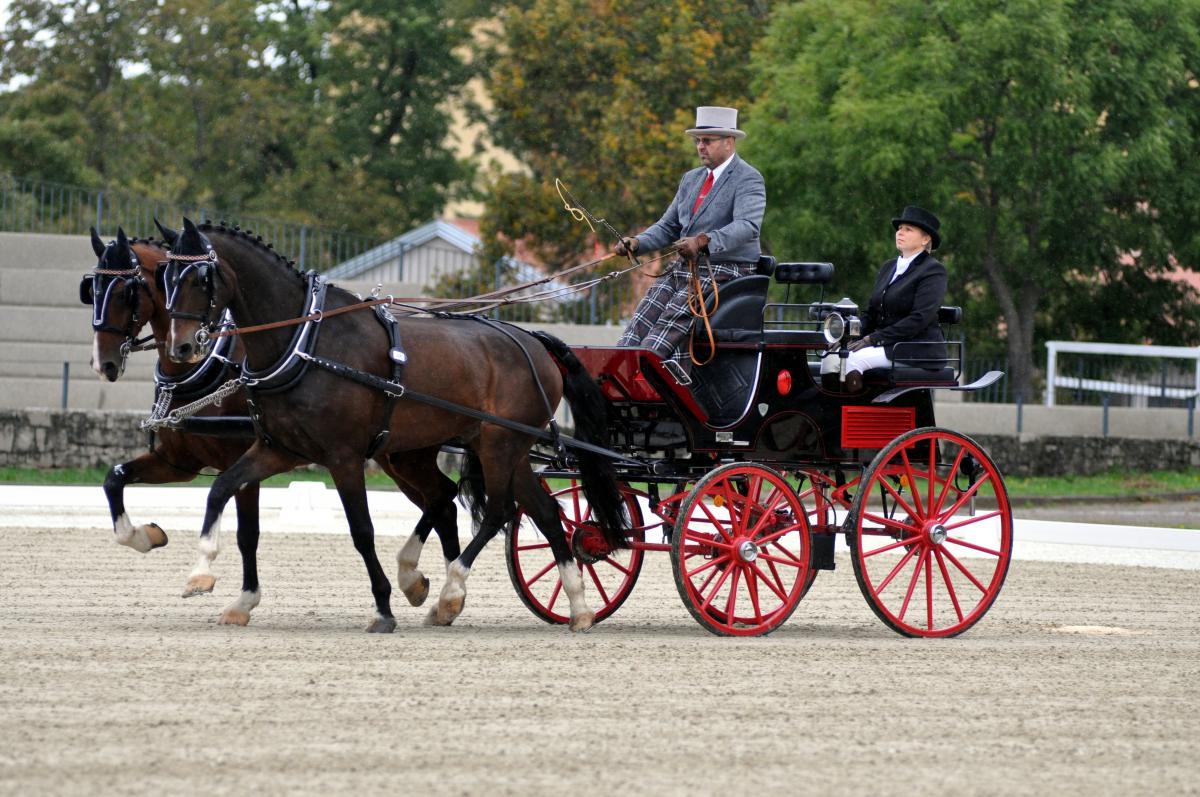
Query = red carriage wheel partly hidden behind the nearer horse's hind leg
x=608 y=578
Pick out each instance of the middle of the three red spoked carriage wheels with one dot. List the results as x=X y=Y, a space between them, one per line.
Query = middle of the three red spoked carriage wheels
x=741 y=550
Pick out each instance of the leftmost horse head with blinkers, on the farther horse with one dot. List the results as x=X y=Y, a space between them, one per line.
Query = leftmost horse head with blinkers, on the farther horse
x=121 y=301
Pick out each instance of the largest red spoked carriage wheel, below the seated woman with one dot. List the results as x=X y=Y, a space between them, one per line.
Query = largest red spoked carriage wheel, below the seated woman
x=926 y=565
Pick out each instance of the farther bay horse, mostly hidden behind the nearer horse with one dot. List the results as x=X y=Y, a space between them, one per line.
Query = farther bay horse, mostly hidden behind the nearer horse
x=125 y=297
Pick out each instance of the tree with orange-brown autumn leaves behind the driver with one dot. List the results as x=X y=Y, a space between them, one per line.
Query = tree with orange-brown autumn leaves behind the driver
x=598 y=94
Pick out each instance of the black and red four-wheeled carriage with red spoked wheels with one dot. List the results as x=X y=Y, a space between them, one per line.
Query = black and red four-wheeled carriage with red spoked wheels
x=748 y=477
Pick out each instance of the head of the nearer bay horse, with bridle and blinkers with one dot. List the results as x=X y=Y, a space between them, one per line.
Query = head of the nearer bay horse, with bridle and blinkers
x=197 y=291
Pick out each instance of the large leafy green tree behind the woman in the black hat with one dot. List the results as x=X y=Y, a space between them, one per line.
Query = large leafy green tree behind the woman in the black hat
x=1051 y=136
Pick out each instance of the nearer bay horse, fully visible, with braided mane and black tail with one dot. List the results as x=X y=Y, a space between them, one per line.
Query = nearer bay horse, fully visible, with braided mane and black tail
x=313 y=394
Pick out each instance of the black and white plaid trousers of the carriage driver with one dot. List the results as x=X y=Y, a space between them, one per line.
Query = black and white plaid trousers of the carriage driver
x=663 y=321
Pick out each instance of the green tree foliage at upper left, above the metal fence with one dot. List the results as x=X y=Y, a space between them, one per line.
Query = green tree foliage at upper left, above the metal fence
x=340 y=109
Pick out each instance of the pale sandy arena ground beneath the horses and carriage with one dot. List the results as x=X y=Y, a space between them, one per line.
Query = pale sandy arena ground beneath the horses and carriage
x=1084 y=680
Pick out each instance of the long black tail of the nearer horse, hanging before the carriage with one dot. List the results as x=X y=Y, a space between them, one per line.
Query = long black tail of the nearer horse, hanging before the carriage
x=591 y=414
